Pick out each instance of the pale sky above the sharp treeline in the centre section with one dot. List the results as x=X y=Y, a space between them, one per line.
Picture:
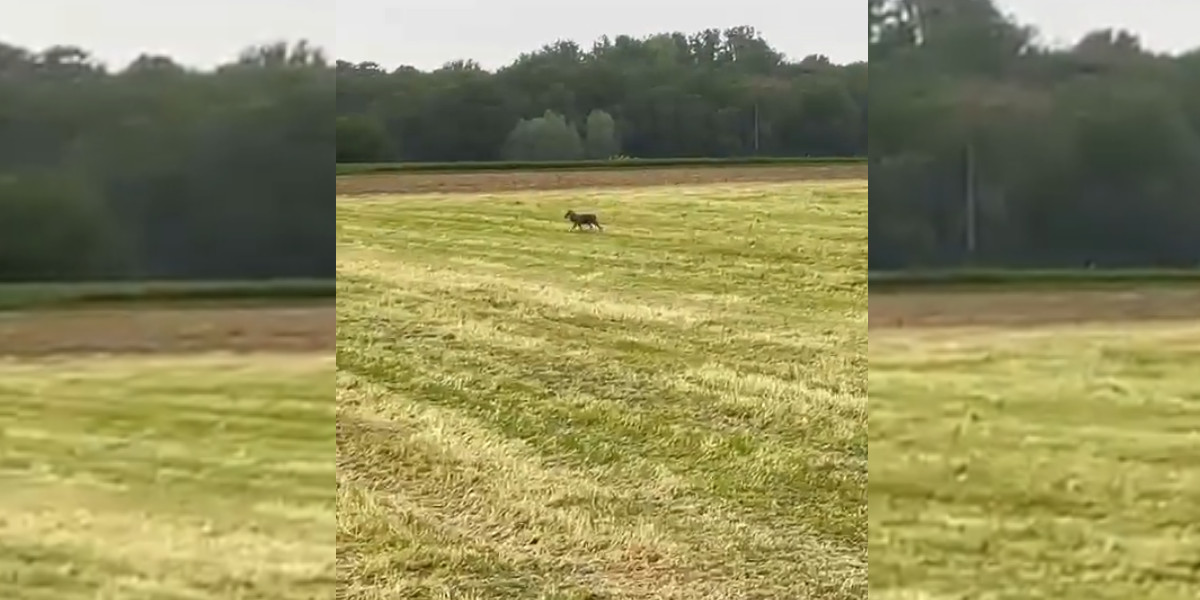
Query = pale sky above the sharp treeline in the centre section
x=429 y=34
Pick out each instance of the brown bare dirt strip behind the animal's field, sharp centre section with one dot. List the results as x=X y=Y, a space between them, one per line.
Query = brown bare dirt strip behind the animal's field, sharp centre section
x=503 y=182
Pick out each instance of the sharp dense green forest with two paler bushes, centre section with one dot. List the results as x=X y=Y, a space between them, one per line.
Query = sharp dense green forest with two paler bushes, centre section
x=712 y=94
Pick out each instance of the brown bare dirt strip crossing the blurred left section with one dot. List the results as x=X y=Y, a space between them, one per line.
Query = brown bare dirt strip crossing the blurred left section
x=169 y=331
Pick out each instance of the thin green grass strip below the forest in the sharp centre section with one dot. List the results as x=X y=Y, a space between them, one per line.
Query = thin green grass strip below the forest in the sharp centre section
x=628 y=164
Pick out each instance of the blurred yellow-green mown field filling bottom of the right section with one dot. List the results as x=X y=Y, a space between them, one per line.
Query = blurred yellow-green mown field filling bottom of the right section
x=1059 y=461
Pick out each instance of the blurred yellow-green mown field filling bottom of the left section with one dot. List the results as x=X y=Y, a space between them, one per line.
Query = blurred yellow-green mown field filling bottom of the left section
x=196 y=477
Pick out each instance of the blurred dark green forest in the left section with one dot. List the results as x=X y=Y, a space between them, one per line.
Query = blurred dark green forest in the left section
x=161 y=172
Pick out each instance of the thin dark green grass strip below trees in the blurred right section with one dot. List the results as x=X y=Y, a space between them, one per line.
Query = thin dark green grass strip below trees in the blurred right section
x=959 y=280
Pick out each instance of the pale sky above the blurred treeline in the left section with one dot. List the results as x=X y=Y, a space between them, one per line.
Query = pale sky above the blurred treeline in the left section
x=197 y=34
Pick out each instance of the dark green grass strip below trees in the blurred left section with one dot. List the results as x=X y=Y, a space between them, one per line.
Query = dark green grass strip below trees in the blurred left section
x=55 y=296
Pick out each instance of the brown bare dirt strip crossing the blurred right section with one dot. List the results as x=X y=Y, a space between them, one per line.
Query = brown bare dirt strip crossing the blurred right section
x=1031 y=309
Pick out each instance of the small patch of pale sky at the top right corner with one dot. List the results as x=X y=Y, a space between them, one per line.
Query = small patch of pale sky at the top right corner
x=1165 y=26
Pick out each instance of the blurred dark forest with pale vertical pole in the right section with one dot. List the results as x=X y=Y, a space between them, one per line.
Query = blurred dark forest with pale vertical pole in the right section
x=1060 y=158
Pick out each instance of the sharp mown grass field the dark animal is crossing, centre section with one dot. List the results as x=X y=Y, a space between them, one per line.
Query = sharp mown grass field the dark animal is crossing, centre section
x=674 y=409
